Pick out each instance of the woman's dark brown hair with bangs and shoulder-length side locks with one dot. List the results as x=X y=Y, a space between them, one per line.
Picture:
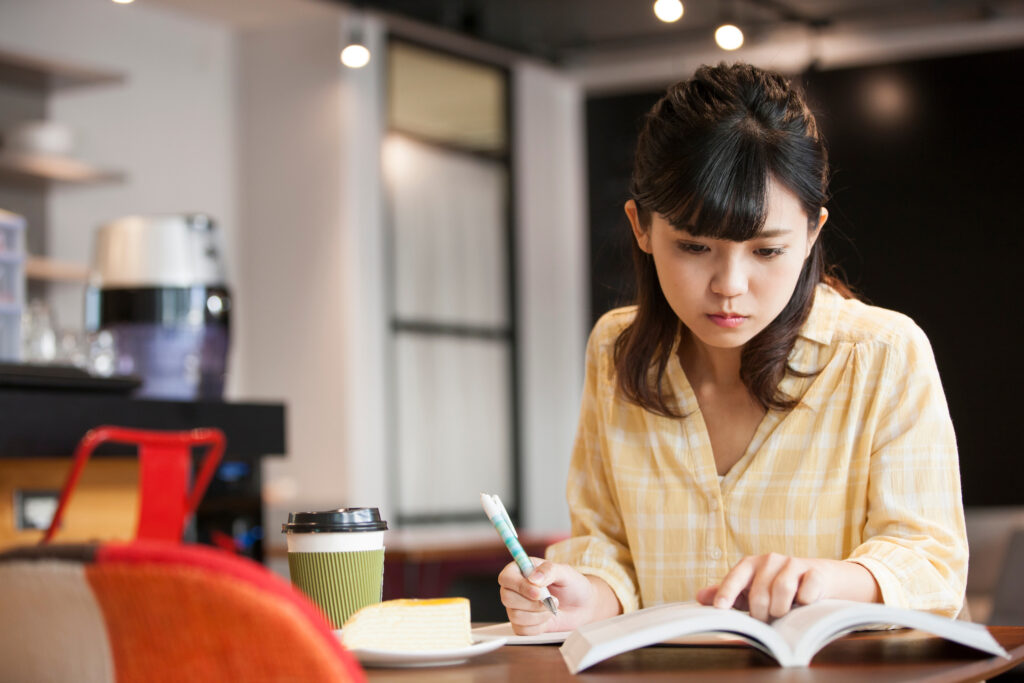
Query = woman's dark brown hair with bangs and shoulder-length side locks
x=704 y=160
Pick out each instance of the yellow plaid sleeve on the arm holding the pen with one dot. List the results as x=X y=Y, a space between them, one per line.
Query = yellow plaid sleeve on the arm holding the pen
x=600 y=544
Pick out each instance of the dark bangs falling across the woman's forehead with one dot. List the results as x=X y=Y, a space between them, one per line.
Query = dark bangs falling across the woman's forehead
x=720 y=189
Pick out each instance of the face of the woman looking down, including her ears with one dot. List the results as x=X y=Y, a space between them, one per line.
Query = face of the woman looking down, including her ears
x=728 y=292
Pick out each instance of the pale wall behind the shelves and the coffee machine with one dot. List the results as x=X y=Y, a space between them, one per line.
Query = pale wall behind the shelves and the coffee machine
x=169 y=126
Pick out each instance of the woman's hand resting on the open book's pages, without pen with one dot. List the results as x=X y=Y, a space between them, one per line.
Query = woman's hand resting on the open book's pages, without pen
x=771 y=585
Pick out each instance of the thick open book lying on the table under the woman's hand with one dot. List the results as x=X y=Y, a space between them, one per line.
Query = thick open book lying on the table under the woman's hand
x=792 y=641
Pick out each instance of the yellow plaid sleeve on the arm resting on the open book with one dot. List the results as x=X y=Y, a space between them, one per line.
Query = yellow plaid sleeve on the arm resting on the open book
x=916 y=539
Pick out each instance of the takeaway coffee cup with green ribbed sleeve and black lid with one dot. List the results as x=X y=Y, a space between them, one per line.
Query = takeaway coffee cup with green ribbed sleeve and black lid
x=336 y=558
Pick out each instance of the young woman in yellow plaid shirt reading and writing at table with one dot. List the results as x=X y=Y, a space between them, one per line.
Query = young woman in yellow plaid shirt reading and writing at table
x=751 y=436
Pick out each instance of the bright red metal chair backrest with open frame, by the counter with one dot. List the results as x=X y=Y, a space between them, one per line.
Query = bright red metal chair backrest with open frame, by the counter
x=166 y=503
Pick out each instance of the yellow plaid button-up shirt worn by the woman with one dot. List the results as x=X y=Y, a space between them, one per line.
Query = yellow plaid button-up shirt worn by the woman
x=865 y=469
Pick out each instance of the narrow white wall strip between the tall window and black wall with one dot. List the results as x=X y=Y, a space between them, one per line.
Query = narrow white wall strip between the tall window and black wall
x=552 y=275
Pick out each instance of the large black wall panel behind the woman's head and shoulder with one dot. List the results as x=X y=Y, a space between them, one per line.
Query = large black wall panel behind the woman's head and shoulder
x=927 y=214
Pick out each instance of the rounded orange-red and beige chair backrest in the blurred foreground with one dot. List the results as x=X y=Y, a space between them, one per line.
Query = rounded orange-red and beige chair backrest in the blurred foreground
x=158 y=612
